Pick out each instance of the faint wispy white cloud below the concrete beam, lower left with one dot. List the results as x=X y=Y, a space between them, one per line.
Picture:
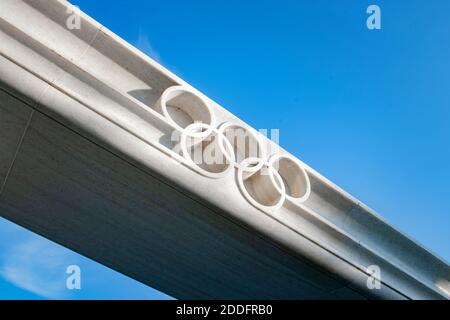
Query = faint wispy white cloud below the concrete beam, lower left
x=38 y=266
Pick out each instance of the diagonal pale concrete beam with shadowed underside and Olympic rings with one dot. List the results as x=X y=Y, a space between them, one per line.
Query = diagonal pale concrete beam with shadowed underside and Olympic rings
x=88 y=160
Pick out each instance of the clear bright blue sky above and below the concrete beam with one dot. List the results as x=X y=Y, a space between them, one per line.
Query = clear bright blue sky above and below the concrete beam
x=370 y=110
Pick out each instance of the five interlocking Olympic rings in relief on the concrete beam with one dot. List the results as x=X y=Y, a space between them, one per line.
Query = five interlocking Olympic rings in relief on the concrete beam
x=267 y=183
